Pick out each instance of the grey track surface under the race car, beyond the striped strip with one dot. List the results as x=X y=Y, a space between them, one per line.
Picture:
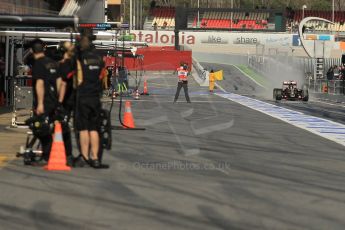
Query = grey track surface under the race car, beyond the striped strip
x=236 y=82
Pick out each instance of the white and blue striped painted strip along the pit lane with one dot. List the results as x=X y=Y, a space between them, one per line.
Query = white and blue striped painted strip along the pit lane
x=325 y=128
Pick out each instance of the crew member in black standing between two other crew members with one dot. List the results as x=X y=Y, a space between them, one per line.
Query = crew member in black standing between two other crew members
x=66 y=95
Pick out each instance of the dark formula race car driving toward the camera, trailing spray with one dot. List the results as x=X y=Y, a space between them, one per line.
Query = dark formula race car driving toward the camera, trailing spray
x=289 y=91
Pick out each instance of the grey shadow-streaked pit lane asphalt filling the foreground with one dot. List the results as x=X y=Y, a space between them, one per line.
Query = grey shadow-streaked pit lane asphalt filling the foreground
x=259 y=173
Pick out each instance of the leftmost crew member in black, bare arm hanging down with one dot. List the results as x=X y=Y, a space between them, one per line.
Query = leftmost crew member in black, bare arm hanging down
x=44 y=76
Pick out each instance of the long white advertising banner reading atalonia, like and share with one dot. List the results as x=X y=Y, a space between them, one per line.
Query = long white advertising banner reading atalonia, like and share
x=232 y=39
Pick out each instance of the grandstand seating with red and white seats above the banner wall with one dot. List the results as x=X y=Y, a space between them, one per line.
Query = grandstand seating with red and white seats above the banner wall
x=164 y=18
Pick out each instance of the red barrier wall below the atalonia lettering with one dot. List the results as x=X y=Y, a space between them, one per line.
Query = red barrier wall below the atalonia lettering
x=158 y=59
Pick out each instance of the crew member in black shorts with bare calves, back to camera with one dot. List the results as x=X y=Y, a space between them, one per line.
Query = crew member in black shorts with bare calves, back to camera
x=90 y=68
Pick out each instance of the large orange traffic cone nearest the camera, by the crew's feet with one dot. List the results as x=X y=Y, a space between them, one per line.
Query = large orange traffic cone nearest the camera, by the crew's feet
x=57 y=160
